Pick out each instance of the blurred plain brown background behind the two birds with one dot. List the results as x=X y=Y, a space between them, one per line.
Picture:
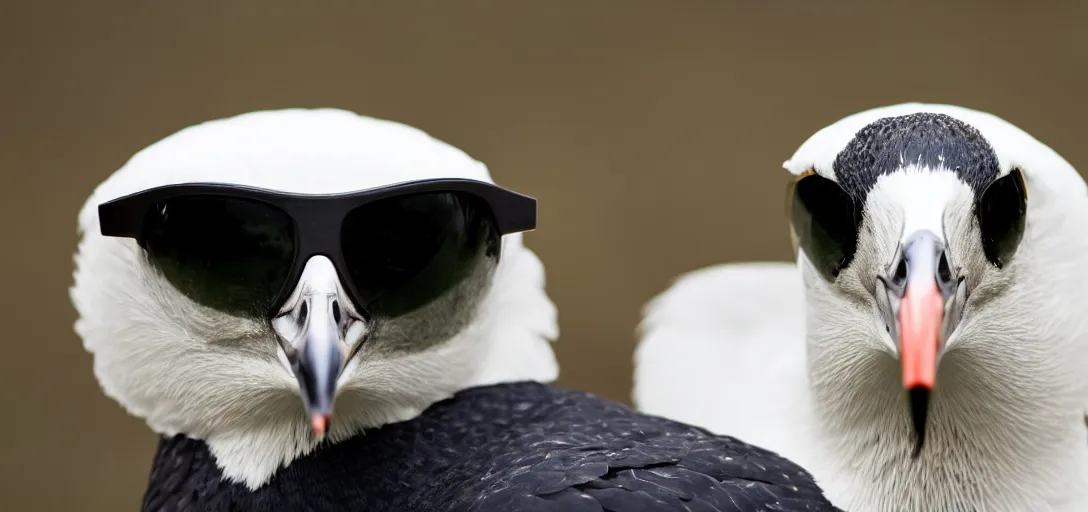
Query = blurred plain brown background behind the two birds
x=652 y=133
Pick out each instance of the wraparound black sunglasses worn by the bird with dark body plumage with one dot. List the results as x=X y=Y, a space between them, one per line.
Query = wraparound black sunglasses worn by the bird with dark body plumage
x=241 y=249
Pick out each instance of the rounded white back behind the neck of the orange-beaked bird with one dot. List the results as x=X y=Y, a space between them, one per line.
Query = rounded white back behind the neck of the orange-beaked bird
x=724 y=348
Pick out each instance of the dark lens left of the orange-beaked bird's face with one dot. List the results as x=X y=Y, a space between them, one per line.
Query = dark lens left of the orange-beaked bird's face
x=825 y=220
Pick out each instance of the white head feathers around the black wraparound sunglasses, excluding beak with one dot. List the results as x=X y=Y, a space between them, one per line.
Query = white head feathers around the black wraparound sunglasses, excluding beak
x=186 y=369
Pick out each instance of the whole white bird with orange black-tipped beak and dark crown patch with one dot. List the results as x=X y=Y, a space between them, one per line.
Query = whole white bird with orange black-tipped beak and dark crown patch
x=928 y=351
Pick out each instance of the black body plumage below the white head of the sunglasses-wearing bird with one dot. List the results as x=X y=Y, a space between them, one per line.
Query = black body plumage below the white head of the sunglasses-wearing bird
x=506 y=448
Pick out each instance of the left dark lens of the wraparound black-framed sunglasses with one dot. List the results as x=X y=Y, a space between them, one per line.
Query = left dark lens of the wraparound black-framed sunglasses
x=228 y=254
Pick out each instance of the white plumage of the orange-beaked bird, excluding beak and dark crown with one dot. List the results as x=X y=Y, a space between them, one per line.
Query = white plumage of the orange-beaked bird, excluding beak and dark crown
x=784 y=359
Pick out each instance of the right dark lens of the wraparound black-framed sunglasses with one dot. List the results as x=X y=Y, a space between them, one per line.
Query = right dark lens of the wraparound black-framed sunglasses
x=405 y=252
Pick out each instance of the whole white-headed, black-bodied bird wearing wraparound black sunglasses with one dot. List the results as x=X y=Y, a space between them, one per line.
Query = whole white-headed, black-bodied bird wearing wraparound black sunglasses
x=322 y=311
